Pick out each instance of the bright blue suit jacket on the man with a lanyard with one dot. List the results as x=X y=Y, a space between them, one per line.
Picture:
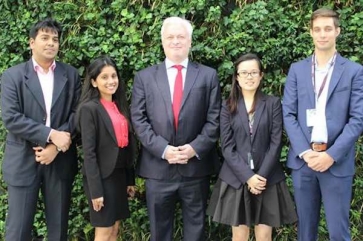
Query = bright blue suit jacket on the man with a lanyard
x=344 y=112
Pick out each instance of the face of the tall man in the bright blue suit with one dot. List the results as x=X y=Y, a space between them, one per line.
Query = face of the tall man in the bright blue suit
x=324 y=33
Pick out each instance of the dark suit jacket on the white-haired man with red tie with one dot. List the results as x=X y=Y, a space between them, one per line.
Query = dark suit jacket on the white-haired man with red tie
x=152 y=118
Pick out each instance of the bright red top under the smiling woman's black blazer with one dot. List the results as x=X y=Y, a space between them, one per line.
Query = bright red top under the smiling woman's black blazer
x=119 y=123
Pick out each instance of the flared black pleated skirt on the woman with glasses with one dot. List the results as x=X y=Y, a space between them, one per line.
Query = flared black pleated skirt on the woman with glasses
x=273 y=207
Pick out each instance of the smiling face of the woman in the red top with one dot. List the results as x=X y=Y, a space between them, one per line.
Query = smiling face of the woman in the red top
x=106 y=82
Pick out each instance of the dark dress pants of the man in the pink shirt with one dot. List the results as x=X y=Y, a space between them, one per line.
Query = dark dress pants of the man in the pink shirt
x=22 y=202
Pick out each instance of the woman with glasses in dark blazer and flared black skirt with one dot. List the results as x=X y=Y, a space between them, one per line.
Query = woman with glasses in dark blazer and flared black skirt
x=251 y=188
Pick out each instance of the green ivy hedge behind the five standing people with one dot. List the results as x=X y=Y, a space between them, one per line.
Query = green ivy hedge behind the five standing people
x=129 y=31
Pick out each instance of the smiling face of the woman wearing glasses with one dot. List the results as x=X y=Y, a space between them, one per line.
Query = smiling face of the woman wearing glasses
x=249 y=75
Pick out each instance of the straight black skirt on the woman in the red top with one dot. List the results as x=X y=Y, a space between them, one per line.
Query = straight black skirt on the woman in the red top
x=116 y=205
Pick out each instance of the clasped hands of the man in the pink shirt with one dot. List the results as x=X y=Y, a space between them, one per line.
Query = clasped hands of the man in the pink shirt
x=60 y=140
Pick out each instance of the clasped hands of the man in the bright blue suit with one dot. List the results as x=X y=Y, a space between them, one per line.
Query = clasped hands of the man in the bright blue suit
x=318 y=161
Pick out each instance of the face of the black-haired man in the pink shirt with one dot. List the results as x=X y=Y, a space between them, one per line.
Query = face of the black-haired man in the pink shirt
x=45 y=46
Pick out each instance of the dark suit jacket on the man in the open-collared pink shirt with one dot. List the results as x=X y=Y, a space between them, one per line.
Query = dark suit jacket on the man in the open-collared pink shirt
x=24 y=116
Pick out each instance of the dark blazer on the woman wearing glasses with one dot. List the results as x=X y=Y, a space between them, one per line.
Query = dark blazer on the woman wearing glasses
x=264 y=144
